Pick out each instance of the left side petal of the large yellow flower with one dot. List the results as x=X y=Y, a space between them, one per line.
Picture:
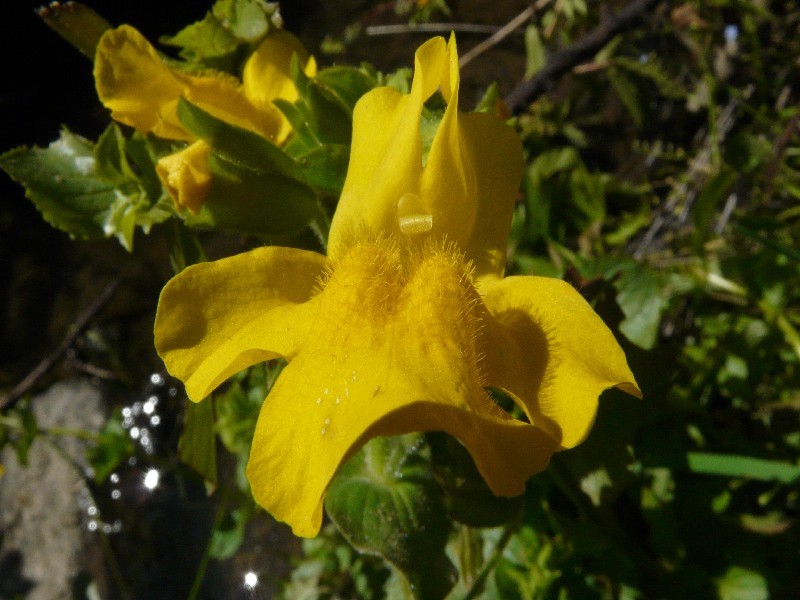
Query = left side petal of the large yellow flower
x=217 y=318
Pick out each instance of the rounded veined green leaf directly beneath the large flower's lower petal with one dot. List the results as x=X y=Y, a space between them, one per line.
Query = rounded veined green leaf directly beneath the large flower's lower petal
x=386 y=502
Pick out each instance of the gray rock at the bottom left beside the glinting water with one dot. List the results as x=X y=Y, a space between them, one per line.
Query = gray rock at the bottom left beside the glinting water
x=40 y=518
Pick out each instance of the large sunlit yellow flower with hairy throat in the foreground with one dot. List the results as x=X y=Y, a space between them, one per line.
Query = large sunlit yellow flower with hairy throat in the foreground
x=406 y=322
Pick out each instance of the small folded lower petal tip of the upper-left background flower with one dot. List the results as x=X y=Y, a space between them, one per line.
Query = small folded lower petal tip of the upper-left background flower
x=185 y=175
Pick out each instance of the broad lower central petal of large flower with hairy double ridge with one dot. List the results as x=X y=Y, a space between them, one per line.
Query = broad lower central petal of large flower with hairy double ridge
x=389 y=353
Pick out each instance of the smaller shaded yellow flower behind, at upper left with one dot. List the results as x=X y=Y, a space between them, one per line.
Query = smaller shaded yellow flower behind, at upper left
x=140 y=90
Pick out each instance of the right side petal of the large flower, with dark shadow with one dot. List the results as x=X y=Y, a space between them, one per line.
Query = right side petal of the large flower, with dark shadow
x=549 y=349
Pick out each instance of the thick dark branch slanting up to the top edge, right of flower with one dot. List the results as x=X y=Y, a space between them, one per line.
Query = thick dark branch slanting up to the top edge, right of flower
x=569 y=57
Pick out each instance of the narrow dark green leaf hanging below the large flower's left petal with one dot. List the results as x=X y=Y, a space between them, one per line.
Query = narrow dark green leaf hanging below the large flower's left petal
x=197 y=444
